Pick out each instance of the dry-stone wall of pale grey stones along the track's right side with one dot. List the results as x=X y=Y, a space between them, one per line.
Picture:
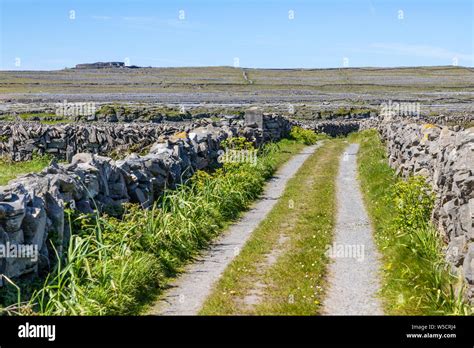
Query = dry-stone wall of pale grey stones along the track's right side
x=446 y=158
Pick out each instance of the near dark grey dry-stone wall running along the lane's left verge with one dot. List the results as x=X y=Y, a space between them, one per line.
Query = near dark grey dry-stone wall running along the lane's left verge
x=32 y=206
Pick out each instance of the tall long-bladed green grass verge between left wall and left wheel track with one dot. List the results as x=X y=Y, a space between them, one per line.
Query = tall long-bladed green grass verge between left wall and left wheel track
x=117 y=266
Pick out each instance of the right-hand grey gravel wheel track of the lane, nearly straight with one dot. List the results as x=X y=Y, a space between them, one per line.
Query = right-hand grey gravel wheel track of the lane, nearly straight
x=353 y=274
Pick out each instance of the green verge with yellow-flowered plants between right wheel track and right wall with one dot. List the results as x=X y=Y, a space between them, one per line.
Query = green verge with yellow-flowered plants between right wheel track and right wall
x=416 y=280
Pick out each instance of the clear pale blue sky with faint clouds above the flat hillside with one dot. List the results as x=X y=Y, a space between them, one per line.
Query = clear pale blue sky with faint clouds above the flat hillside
x=40 y=35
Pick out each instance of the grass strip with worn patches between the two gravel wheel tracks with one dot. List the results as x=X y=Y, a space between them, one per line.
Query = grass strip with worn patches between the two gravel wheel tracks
x=281 y=268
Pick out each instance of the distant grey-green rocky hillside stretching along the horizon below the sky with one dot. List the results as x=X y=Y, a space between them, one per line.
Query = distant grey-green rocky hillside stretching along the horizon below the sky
x=227 y=84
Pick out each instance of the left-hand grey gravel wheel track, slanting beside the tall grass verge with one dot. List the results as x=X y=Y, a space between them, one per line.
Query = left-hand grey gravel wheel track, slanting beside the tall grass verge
x=188 y=293
